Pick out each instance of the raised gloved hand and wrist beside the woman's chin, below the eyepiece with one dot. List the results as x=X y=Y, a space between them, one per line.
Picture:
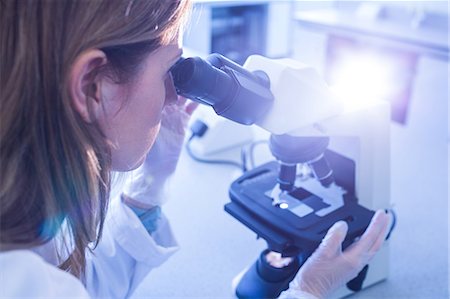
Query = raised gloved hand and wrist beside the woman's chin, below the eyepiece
x=145 y=185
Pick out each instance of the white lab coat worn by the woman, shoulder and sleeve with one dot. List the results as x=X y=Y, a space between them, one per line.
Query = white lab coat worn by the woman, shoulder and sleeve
x=123 y=257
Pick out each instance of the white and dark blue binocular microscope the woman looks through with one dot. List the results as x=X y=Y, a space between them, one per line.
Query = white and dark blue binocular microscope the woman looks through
x=331 y=162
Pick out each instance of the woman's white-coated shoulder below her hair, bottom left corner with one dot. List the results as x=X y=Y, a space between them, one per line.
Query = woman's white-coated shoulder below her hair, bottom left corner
x=23 y=273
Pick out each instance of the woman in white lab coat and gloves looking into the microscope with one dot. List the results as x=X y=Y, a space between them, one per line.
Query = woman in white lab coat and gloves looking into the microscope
x=84 y=88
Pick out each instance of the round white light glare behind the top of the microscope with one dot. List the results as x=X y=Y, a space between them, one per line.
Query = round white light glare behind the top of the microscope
x=363 y=78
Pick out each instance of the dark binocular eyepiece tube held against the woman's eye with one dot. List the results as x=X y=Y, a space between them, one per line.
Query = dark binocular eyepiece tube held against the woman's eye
x=232 y=91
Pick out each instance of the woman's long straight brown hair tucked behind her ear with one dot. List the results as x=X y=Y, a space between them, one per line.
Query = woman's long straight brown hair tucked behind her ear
x=54 y=166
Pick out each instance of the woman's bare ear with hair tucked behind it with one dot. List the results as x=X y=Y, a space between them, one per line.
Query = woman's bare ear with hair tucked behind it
x=84 y=84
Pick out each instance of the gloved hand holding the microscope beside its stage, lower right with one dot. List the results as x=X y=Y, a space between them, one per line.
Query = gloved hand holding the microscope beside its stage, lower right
x=329 y=268
